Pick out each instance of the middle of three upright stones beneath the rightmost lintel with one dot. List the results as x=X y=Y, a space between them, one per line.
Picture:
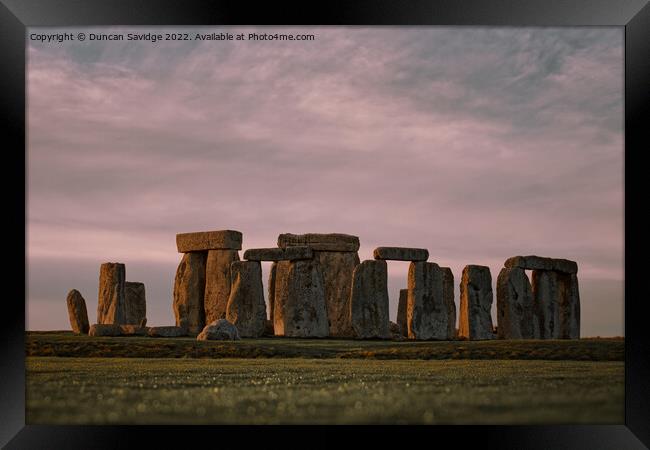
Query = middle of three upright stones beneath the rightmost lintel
x=546 y=304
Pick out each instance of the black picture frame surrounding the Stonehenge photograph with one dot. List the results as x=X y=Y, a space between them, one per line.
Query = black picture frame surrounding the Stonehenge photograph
x=16 y=15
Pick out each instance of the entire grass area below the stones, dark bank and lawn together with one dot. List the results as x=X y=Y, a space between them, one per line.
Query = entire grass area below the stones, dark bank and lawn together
x=88 y=380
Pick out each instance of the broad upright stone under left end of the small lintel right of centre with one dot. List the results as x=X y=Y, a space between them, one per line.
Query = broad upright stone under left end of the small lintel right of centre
x=369 y=300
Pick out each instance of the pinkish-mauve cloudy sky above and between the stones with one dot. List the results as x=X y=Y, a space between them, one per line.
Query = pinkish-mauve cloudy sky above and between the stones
x=475 y=143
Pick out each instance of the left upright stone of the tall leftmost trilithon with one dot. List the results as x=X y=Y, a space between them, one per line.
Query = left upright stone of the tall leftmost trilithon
x=189 y=288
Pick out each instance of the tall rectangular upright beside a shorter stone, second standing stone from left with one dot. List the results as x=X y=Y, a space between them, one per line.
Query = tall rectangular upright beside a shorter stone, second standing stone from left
x=111 y=304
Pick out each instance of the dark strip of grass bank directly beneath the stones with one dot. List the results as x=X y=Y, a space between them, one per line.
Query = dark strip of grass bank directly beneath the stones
x=69 y=345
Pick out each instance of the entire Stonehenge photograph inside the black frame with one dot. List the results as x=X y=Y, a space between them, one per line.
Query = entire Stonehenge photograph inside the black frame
x=325 y=225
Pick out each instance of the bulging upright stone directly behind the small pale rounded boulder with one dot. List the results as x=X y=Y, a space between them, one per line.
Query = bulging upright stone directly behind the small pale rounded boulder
x=246 y=307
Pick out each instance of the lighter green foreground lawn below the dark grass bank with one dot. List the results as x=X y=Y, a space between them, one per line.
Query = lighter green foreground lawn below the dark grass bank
x=296 y=390
